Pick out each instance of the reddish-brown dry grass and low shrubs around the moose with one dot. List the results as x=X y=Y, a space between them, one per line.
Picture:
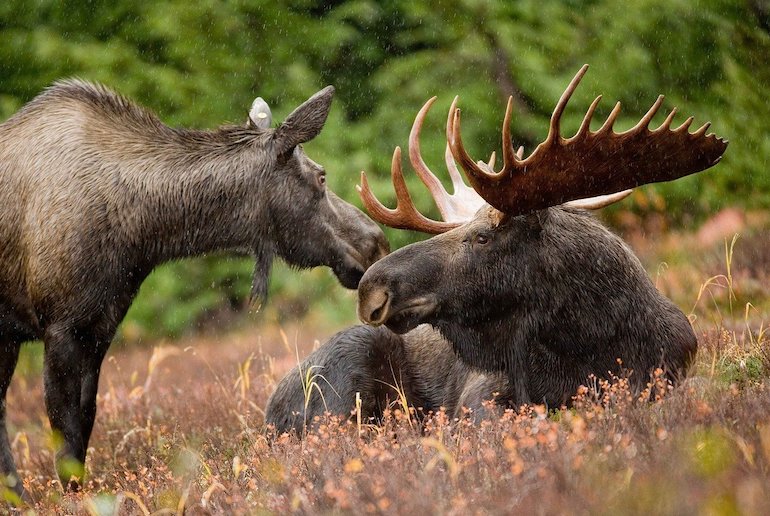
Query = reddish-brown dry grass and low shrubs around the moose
x=180 y=429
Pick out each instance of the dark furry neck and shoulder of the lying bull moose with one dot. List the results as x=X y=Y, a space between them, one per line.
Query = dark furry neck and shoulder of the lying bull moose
x=600 y=313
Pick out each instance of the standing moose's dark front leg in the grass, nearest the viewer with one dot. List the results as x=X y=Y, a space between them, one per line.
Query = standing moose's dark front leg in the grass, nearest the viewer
x=62 y=382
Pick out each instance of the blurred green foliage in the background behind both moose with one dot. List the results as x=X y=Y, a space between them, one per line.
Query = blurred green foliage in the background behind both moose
x=201 y=63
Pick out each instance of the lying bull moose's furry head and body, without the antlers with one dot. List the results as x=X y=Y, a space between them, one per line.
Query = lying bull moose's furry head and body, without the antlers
x=528 y=307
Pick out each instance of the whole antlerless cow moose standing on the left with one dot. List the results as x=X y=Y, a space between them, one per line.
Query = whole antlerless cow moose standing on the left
x=96 y=191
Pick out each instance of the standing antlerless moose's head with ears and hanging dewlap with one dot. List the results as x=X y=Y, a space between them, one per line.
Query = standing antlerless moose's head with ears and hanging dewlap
x=307 y=223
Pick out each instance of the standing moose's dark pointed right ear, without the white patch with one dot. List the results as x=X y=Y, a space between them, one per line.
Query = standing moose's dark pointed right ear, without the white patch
x=305 y=122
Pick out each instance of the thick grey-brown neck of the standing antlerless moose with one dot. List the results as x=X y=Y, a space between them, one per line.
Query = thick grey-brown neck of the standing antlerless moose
x=200 y=194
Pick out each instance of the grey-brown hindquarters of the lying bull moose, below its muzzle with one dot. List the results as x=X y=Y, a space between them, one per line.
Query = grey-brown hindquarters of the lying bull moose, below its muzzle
x=374 y=362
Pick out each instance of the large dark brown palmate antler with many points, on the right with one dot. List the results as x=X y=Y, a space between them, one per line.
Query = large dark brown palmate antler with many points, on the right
x=590 y=163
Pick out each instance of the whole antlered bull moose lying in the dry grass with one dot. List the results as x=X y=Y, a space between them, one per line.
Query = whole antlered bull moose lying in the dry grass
x=522 y=294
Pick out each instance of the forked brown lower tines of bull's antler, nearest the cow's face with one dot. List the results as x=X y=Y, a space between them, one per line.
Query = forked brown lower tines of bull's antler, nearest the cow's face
x=405 y=216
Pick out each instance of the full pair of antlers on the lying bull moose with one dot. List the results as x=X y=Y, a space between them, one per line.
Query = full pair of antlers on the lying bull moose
x=582 y=171
